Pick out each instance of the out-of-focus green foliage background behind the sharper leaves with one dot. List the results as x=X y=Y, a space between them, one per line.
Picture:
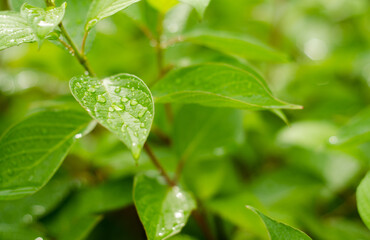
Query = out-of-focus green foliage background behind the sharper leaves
x=295 y=173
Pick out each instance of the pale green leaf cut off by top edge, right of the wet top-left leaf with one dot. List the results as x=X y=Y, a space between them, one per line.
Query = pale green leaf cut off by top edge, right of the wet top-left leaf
x=101 y=9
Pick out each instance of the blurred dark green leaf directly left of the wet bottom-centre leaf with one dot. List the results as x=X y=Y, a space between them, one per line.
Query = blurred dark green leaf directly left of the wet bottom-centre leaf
x=83 y=208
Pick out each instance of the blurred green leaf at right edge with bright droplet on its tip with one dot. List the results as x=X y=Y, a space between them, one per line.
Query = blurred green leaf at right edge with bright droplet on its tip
x=356 y=132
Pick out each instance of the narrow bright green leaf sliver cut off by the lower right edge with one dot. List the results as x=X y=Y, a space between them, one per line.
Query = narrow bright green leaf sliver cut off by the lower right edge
x=363 y=199
